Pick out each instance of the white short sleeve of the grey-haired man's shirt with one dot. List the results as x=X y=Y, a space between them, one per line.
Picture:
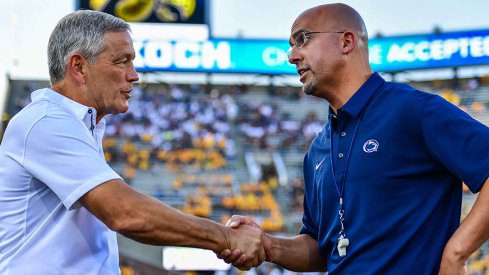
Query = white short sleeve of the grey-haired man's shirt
x=60 y=152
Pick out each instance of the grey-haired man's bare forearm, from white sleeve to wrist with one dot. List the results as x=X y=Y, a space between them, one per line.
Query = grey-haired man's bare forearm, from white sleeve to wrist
x=149 y=221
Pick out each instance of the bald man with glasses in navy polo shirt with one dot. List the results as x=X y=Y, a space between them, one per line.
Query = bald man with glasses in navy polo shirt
x=383 y=179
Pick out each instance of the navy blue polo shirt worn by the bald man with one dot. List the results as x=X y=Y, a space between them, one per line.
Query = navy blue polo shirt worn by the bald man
x=400 y=156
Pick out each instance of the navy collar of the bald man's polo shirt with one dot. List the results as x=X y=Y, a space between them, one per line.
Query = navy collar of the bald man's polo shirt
x=360 y=99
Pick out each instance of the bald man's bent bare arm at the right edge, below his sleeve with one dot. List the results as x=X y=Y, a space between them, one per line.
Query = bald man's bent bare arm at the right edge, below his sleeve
x=473 y=231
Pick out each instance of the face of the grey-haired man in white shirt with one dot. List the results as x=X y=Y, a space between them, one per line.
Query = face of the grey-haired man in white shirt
x=109 y=81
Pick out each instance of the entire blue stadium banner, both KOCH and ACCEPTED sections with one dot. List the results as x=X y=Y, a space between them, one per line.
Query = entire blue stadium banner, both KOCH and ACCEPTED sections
x=388 y=54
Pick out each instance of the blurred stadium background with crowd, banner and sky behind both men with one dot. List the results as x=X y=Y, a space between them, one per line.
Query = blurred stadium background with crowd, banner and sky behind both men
x=218 y=124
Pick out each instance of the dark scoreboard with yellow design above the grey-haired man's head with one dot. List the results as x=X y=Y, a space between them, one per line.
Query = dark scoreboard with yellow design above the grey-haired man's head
x=152 y=11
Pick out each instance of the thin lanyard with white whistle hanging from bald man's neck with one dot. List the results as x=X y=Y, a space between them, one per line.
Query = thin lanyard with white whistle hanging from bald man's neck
x=343 y=242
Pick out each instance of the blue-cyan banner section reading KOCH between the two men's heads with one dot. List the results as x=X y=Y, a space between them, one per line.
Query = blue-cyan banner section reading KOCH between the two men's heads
x=213 y=55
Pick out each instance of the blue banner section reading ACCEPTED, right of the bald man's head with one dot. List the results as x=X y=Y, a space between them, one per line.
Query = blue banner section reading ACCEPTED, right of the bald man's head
x=451 y=49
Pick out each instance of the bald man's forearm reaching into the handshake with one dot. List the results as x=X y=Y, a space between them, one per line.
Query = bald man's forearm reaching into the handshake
x=299 y=254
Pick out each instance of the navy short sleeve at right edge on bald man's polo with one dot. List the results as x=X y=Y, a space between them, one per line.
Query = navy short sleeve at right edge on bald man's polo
x=457 y=140
